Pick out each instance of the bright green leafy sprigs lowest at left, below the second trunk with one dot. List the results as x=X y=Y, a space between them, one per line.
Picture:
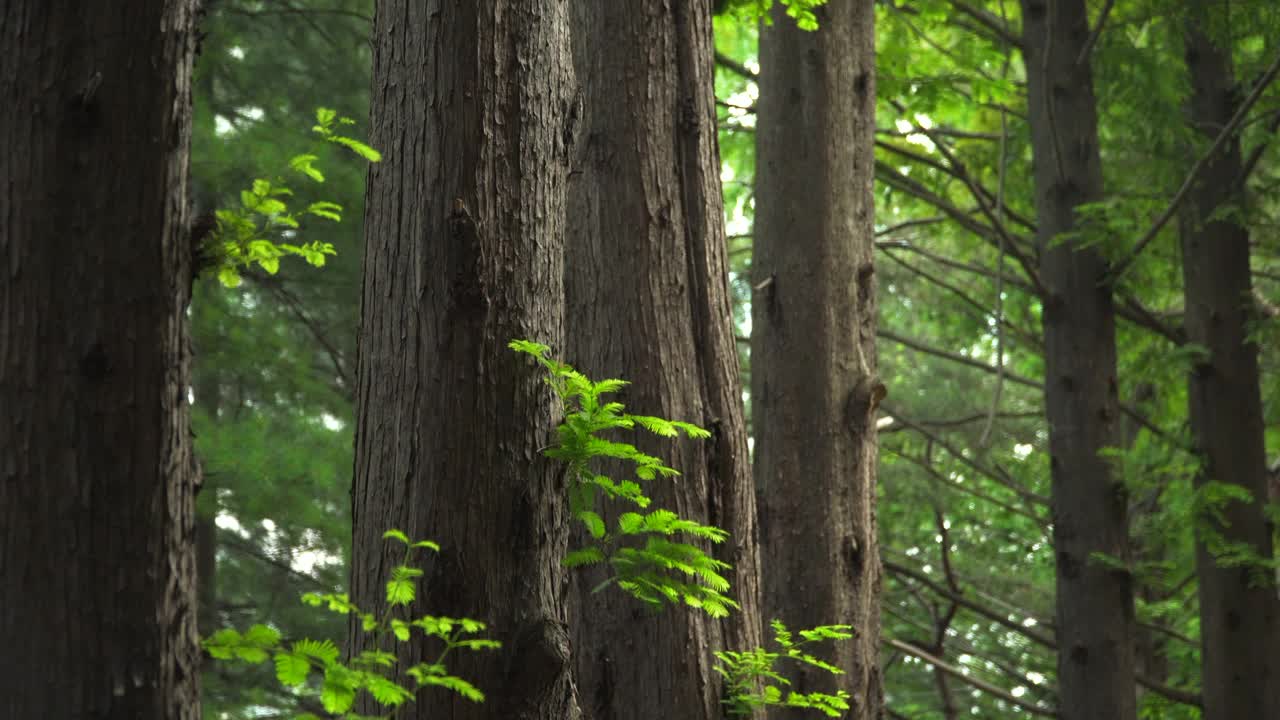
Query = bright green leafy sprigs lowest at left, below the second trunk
x=316 y=667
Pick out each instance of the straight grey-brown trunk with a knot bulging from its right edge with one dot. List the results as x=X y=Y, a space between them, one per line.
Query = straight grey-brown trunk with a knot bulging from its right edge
x=815 y=388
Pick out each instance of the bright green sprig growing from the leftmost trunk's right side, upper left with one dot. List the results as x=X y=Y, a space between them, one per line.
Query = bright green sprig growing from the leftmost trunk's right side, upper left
x=245 y=235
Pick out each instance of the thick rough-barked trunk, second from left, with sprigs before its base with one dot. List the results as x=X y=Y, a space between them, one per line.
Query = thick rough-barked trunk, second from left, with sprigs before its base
x=465 y=252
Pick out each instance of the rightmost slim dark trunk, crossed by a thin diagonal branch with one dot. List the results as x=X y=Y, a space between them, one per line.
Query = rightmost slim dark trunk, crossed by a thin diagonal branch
x=1240 y=613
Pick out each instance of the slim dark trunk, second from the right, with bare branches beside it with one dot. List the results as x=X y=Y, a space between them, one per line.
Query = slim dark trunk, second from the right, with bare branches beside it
x=1095 y=601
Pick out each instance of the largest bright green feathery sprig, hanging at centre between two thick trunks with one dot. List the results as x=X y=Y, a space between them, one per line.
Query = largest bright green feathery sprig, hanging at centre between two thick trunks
x=647 y=560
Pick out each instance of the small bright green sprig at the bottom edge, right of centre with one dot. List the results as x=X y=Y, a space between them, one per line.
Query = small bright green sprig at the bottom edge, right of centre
x=753 y=680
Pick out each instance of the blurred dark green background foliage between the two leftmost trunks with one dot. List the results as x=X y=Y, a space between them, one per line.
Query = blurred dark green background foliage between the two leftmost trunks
x=275 y=358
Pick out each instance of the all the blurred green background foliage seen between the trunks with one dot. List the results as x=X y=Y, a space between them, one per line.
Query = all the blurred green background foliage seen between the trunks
x=964 y=473
